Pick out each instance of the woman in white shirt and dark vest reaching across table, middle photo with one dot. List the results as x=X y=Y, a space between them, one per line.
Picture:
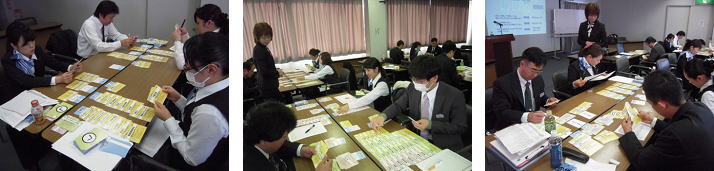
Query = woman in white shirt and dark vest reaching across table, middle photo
x=377 y=88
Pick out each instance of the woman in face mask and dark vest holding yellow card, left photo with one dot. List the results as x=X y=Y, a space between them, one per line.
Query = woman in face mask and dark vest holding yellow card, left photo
x=199 y=135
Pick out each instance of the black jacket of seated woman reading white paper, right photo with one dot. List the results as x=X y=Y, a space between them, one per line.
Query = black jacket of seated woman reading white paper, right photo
x=576 y=72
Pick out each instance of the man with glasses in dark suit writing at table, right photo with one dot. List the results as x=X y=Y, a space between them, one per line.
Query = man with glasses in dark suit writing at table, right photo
x=518 y=95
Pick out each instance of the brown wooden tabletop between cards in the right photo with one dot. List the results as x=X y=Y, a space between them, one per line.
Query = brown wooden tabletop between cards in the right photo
x=601 y=105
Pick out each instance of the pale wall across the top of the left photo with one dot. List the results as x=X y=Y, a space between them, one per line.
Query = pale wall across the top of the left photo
x=146 y=18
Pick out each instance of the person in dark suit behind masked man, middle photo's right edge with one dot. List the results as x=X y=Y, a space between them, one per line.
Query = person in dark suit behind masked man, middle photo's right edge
x=447 y=64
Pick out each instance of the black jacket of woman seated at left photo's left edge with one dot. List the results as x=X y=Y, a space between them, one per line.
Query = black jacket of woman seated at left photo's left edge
x=18 y=81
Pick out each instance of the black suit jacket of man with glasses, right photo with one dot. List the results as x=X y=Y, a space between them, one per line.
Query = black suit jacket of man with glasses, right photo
x=508 y=104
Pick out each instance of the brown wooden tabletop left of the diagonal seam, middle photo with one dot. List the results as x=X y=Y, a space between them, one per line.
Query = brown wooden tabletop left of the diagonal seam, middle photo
x=334 y=130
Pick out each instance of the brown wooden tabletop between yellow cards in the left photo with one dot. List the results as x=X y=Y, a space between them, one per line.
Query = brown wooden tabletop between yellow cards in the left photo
x=138 y=83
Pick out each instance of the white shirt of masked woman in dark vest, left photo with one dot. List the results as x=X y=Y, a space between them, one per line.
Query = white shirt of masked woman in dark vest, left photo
x=207 y=128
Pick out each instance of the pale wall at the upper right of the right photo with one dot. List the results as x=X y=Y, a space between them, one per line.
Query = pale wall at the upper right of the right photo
x=637 y=19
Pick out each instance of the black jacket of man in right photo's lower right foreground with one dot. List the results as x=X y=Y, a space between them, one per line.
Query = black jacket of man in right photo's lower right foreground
x=684 y=142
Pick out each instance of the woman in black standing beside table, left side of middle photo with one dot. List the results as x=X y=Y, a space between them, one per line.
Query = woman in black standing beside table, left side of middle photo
x=264 y=62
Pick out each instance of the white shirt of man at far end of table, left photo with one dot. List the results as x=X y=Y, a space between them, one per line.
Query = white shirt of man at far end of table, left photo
x=89 y=41
